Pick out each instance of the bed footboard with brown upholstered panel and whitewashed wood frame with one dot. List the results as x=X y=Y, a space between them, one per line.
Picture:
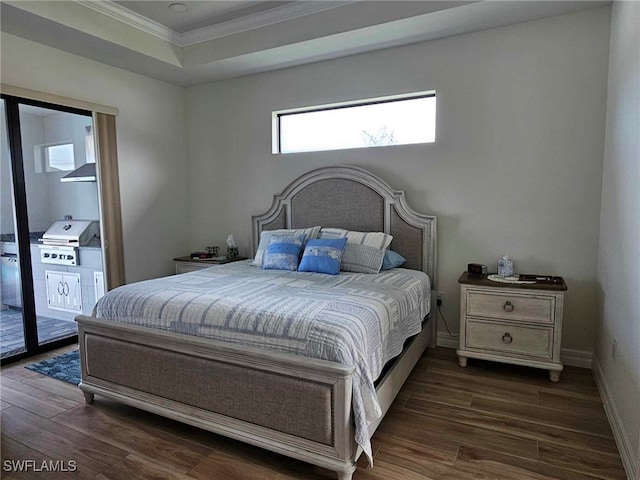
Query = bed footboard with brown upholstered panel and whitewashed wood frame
x=230 y=390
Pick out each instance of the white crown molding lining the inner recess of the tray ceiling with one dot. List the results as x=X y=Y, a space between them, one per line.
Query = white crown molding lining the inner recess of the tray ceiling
x=253 y=21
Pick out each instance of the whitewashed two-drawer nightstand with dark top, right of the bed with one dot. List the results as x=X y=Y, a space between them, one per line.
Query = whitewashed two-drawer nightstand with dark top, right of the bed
x=511 y=323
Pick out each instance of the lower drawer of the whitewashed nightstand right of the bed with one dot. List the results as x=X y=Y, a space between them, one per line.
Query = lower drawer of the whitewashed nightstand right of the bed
x=509 y=338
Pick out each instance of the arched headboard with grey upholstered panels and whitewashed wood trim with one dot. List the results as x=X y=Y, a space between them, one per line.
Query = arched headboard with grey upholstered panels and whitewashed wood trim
x=354 y=199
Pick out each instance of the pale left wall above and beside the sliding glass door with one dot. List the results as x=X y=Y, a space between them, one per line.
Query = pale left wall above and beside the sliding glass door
x=152 y=152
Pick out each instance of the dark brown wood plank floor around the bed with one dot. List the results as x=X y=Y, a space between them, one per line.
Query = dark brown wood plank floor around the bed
x=487 y=421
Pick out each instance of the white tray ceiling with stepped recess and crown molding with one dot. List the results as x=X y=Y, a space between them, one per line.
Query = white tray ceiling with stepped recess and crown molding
x=214 y=40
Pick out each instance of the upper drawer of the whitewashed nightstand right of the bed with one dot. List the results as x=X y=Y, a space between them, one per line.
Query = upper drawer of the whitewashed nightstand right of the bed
x=512 y=307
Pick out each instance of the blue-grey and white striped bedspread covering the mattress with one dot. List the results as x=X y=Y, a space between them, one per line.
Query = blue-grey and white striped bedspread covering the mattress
x=361 y=320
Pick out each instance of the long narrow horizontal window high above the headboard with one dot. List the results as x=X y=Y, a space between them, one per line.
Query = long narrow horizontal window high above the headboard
x=395 y=120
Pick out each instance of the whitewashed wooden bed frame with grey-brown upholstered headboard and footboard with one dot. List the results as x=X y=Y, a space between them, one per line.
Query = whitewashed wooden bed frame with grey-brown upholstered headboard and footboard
x=199 y=381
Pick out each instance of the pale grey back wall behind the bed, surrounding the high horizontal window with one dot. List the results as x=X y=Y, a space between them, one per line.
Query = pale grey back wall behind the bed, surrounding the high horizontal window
x=516 y=167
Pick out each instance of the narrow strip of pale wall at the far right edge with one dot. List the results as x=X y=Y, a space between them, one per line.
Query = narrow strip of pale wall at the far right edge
x=619 y=253
